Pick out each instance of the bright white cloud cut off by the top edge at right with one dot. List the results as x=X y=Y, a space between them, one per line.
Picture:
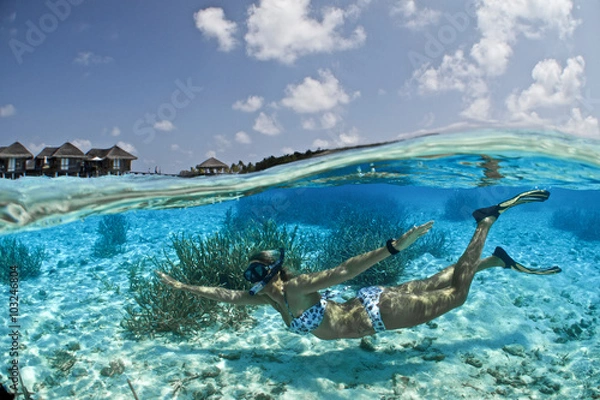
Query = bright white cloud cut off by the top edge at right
x=501 y=22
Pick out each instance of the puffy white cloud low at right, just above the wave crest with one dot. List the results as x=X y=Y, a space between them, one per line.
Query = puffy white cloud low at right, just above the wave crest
x=553 y=86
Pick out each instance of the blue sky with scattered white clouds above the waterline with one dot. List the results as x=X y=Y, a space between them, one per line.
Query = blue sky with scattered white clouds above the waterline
x=178 y=82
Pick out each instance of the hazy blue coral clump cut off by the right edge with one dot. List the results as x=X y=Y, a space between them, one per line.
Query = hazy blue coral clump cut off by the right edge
x=584 y=224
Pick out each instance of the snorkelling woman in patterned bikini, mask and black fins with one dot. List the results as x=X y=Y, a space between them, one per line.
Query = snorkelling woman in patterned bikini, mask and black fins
x=375 y=308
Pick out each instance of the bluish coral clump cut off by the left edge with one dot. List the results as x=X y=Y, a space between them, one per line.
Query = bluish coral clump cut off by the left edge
x=13 y=253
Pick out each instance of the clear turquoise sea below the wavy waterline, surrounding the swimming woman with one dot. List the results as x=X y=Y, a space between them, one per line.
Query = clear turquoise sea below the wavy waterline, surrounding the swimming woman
x=86 y=316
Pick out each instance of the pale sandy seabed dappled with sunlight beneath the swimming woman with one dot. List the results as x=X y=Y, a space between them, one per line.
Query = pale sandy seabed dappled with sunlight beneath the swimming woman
x=517 y=336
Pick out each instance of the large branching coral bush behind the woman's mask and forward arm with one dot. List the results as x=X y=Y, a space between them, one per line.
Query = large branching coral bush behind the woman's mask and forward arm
x=216 y=260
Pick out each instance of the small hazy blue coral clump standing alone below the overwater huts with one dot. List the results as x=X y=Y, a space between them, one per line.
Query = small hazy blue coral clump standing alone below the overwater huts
x=112 y=236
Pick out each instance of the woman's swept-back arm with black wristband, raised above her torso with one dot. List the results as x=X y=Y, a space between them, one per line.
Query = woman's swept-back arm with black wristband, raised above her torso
x=309 y=283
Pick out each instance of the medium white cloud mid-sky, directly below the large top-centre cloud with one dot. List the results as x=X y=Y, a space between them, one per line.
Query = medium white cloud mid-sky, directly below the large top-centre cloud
x=314 y=95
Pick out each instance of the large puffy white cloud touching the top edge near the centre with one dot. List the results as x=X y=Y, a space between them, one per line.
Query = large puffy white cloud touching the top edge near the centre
x=283 y=30
